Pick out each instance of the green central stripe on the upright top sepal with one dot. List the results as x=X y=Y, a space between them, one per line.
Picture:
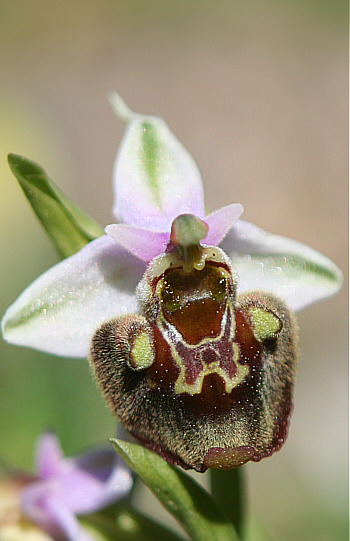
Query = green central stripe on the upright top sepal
x=150 y=158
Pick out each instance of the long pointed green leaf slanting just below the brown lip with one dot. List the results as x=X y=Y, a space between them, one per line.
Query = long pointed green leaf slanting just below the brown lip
x=183 y=498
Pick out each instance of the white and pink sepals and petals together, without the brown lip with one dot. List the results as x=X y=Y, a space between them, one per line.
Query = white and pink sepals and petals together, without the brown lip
x=155 y=180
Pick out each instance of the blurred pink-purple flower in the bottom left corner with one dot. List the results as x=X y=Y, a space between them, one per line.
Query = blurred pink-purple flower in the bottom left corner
x=64 y=488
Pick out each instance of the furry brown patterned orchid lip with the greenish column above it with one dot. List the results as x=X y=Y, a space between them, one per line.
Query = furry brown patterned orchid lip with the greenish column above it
x=201 y=377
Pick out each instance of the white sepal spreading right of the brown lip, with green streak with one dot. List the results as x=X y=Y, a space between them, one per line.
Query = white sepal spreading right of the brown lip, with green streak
x=287 y=268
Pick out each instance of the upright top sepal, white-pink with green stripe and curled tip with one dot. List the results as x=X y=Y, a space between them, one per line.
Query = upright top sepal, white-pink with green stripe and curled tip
x=155 y=178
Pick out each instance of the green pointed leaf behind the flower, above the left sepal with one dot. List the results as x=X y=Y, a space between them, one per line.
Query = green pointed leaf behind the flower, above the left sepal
x=69 y=228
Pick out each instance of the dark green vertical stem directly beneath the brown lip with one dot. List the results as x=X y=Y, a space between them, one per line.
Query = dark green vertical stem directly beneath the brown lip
x=227 y=488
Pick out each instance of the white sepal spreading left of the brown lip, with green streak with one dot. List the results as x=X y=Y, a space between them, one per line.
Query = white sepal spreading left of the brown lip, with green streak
x=59 y=312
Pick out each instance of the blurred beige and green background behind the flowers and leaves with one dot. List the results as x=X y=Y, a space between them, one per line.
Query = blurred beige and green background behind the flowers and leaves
x=257 y=92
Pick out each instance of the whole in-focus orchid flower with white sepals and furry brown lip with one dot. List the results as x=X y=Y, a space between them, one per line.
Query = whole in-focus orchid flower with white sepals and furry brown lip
x=144 y=278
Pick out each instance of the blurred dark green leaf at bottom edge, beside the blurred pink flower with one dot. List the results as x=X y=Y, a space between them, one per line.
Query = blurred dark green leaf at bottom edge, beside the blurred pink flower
x=125 y=524
